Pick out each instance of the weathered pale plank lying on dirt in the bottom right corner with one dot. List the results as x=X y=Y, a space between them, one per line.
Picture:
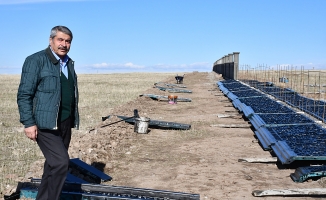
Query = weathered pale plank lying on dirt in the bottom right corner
x=290 y=192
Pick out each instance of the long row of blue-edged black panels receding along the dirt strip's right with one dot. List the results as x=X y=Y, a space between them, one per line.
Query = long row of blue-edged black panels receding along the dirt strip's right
x=290 y=134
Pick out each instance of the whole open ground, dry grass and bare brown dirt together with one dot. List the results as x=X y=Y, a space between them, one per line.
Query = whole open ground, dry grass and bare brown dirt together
x=203 y=160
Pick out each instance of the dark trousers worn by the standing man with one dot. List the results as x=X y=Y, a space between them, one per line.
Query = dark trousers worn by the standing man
x=54 y=145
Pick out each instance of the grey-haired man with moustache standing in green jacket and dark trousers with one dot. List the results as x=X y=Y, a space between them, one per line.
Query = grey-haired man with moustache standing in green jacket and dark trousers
x=48 y=106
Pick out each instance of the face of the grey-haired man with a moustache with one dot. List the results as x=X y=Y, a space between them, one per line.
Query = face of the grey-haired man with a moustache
x=60 y=44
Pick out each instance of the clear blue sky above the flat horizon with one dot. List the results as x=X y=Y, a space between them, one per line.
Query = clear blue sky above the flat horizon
x=167 y=35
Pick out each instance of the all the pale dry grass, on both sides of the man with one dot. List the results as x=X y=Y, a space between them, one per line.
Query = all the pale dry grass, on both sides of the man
x=99 y=94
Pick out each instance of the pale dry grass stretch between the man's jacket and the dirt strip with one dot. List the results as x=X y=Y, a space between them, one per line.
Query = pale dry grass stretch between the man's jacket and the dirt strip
x=99 y=94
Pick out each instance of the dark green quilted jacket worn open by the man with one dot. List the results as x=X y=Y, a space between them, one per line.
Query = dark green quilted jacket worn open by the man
x=39 y=92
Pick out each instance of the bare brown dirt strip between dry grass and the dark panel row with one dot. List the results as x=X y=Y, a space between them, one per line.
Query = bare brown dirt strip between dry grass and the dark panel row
x=202 y=160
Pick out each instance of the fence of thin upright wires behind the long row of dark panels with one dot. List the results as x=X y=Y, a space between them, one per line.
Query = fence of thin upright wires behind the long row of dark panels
x=303 y=88
